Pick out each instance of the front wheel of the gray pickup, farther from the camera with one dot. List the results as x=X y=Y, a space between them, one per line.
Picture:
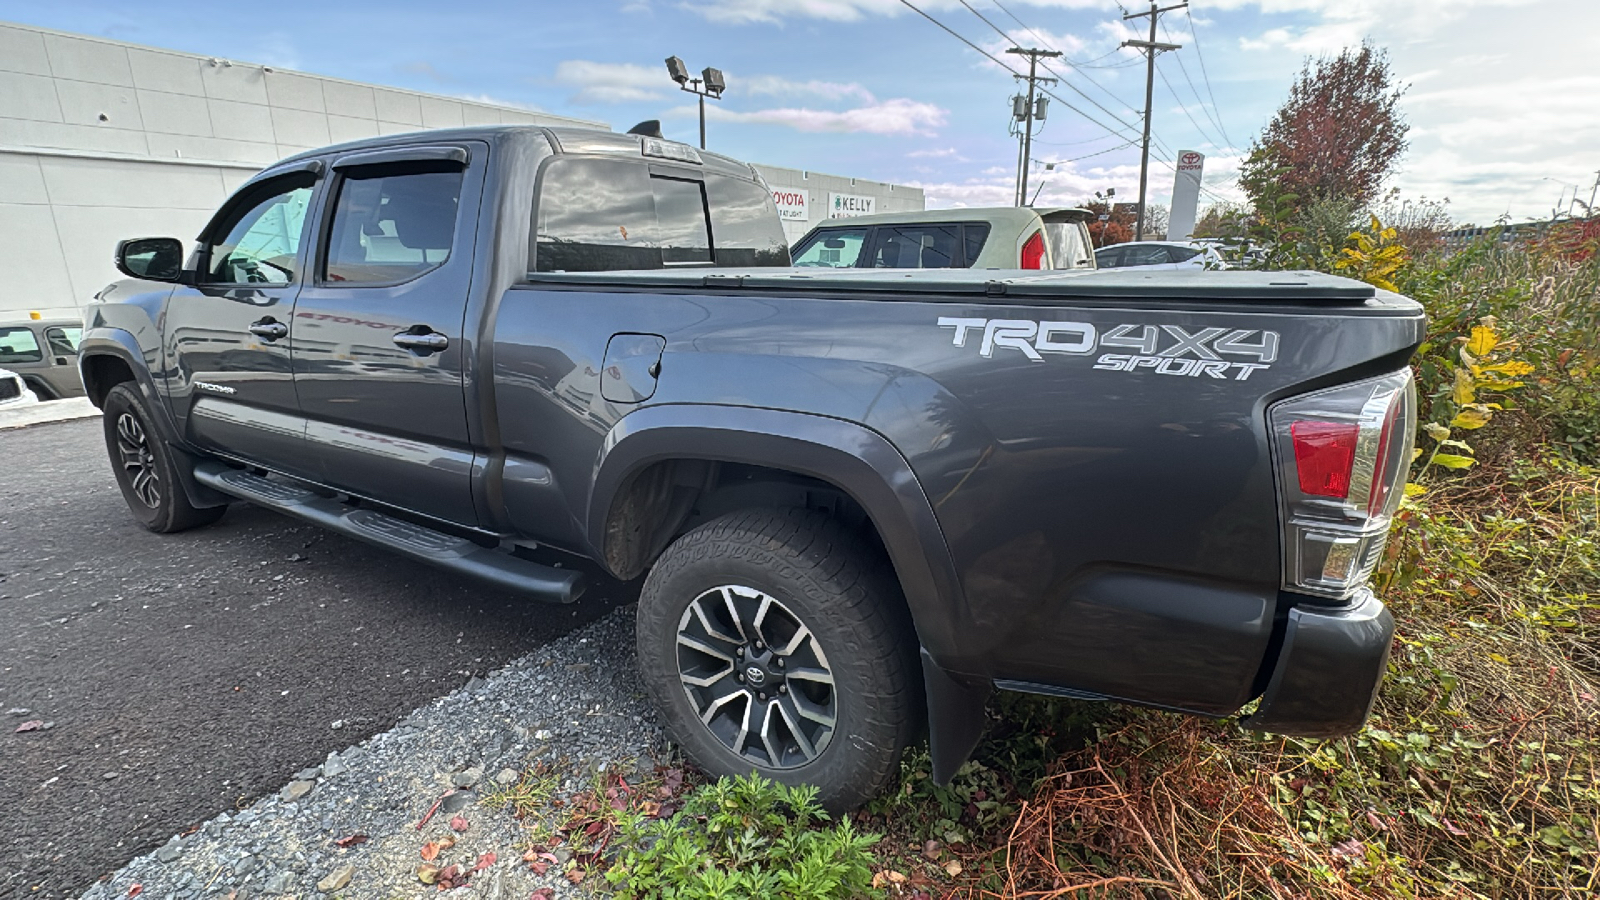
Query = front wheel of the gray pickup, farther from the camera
x=150 y=480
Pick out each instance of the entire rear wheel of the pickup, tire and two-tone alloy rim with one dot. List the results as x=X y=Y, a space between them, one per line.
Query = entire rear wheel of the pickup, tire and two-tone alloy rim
x=775 y=641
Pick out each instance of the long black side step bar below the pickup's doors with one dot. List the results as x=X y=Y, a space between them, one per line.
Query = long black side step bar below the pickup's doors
x=418 y=542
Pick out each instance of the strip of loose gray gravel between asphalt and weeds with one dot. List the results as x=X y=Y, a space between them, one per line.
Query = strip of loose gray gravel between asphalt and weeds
x=574 y=705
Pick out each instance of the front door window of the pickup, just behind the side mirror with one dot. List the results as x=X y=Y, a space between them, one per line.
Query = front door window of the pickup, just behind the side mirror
x=260 y=241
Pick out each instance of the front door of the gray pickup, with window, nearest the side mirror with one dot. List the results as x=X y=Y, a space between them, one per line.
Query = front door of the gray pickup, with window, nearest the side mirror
x=228 y=344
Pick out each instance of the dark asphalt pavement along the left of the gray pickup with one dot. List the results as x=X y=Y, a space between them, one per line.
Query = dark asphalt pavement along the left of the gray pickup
x=178 y=677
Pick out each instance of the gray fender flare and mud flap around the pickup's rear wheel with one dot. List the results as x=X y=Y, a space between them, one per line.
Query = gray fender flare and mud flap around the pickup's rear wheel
x=866 y=467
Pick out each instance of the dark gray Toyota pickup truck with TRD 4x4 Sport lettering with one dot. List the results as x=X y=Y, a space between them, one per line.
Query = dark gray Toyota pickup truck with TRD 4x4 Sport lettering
x=860 y=502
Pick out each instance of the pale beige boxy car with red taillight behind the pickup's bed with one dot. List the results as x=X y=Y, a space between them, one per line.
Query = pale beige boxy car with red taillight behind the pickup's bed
x=1002 y=238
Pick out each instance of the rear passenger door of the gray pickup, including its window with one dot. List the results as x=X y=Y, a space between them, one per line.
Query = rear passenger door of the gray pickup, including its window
x=378 y=332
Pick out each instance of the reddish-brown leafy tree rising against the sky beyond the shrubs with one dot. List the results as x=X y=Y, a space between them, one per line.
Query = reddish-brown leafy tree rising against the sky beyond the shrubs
x=1337 y=137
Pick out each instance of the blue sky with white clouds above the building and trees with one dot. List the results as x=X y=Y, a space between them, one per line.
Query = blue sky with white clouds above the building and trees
x=1502 y=95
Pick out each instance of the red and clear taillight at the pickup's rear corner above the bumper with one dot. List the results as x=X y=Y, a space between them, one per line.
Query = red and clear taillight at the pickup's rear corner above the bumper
x=1342 y=460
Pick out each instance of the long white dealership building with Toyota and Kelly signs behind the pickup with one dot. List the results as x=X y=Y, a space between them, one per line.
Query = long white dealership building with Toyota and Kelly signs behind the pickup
x=103 y=140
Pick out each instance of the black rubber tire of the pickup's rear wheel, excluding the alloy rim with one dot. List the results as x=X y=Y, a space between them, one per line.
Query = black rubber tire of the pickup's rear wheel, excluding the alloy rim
x=841 y=589
